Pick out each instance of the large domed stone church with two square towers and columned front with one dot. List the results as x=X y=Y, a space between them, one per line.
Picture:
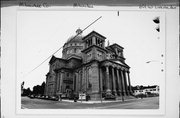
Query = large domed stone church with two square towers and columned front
x=87 y=66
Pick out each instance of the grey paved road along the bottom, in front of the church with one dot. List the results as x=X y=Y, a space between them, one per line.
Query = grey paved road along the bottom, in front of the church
x=146 y=103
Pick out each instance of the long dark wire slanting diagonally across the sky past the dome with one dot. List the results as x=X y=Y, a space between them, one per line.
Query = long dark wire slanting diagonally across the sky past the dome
x=62 y=46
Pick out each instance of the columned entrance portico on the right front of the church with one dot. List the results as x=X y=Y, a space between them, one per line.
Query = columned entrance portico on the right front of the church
x=116 y=79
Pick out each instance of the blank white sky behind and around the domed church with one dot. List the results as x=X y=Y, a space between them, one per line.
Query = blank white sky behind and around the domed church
x=41 y=33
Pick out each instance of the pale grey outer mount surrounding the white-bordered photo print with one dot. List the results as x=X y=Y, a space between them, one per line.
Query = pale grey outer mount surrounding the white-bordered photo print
x=8 y=82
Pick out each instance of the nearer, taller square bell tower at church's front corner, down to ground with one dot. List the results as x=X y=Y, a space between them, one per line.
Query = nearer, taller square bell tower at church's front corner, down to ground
x=94 y=52
